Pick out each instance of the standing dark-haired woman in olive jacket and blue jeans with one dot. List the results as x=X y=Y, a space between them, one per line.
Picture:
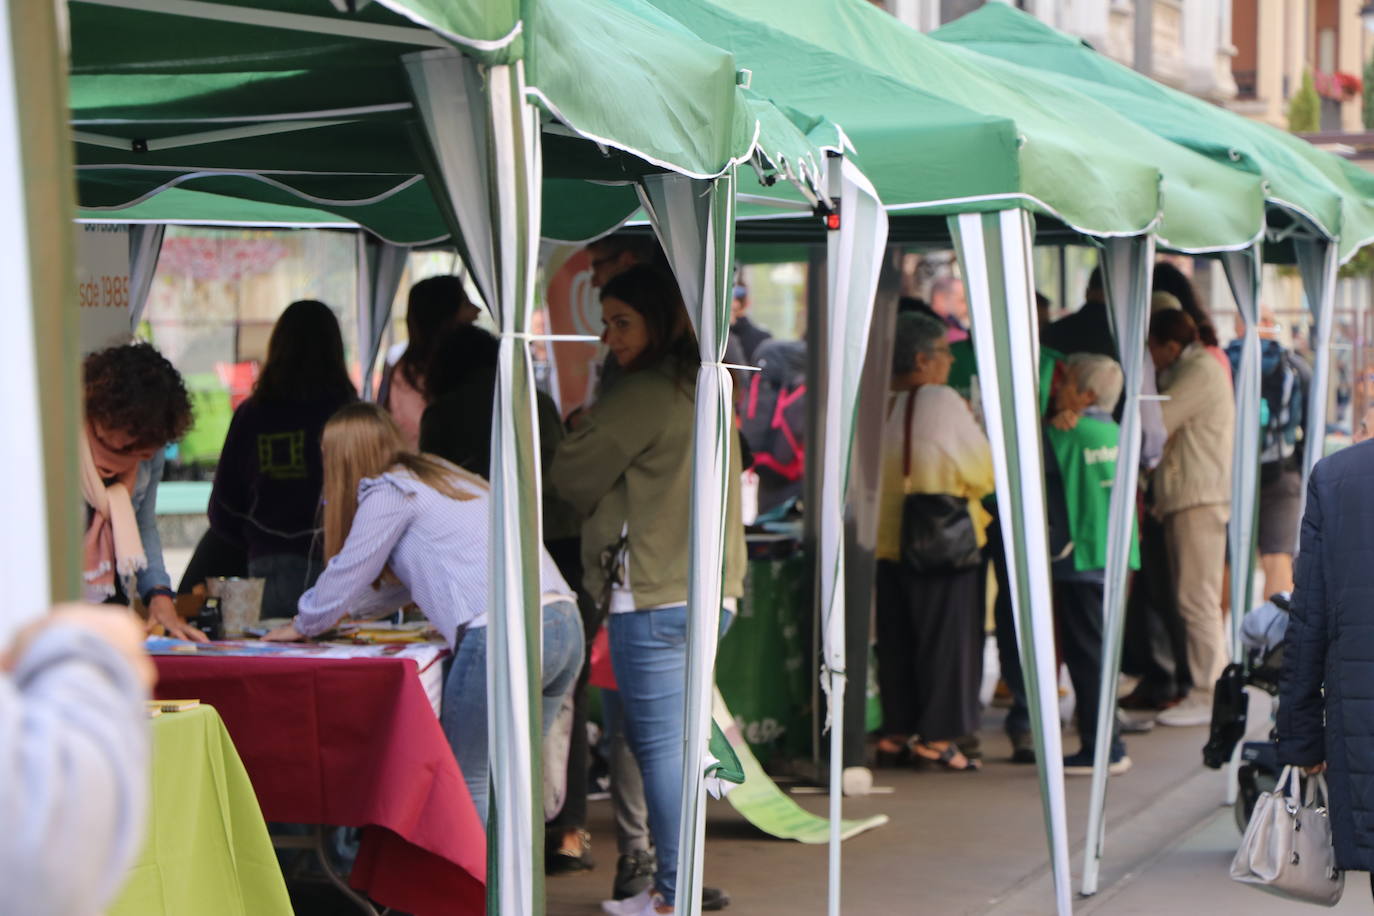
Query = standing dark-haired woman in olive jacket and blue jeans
x=627 y=469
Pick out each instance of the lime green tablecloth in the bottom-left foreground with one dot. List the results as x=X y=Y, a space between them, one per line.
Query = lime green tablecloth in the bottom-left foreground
x=208 y=852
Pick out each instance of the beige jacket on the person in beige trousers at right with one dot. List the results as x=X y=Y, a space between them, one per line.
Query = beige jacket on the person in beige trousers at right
x=1200 y=418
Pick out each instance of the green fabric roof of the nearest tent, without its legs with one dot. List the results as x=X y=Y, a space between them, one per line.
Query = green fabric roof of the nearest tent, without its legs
x=293 y=102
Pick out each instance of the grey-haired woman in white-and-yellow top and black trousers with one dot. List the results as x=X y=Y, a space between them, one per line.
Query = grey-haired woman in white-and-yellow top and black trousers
x=931 y=621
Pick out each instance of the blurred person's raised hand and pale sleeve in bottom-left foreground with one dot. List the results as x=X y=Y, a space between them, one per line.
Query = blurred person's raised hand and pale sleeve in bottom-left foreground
x=74 y=760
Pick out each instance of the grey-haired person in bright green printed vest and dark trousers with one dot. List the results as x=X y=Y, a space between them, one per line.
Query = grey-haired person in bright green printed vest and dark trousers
x=1082 y=443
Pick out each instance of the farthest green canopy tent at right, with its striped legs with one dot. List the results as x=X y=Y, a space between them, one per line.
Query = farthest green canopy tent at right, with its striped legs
x=1321 y=211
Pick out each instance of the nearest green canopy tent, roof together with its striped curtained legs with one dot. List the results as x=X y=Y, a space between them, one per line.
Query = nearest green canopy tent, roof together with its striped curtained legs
x=337 y=109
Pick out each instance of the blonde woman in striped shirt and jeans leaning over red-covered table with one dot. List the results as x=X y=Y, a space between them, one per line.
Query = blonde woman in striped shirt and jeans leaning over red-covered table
x=403 y=527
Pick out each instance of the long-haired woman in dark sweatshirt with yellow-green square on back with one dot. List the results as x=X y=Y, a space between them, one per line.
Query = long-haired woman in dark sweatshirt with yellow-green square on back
x=267 y=487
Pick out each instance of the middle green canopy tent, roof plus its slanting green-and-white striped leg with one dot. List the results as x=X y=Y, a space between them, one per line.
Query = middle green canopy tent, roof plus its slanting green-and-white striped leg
x=1078 y=165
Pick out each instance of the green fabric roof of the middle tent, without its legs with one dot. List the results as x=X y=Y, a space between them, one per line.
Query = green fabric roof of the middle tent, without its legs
x=1068 y=156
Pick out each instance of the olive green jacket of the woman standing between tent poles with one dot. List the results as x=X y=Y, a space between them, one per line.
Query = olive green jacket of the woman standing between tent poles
x=629 y=469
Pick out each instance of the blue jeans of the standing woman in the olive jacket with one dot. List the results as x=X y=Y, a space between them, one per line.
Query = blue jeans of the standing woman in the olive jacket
x=649 y=653
